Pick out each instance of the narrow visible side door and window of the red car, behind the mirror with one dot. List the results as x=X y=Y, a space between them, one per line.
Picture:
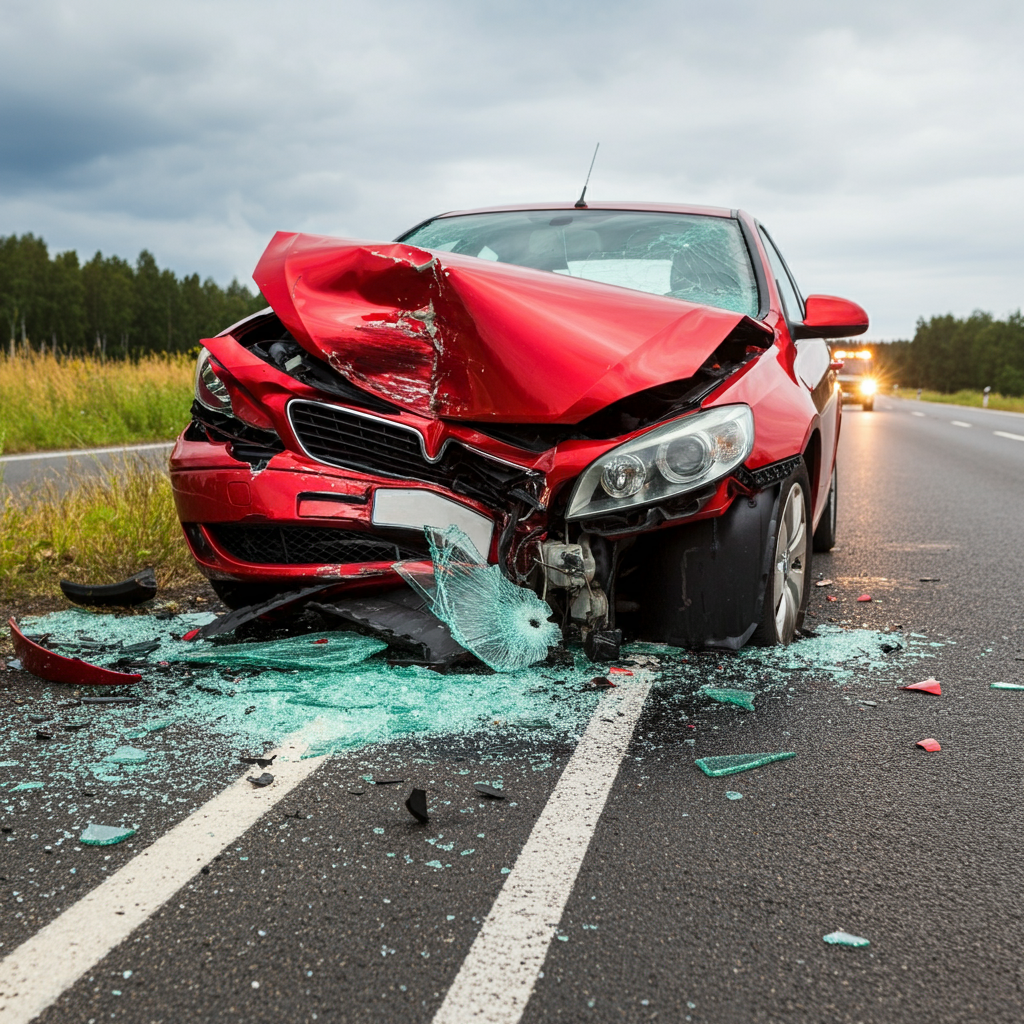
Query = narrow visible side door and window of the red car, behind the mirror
x=812 y=367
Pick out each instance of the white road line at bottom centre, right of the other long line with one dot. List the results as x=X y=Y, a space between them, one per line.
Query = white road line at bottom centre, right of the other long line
x=497 y=978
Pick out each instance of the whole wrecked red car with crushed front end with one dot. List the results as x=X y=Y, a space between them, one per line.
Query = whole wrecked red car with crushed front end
x=628 y=407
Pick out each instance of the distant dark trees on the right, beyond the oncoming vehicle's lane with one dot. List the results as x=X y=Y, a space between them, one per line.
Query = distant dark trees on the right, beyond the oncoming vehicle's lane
x=950 y=354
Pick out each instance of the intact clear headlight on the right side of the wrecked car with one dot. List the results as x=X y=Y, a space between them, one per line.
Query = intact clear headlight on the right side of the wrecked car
x=665 y=462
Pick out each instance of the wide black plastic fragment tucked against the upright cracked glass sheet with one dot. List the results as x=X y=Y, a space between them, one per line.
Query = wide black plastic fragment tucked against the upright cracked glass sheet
x=402 y=619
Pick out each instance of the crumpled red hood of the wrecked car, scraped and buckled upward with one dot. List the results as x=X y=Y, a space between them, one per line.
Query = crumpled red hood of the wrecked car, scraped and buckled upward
x=462 y=338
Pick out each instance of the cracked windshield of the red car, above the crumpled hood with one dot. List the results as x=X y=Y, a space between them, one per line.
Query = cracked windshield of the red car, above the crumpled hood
x=701 y=260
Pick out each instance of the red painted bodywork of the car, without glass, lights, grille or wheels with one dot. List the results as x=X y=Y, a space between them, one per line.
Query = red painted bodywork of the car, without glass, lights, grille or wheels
x=454 y=345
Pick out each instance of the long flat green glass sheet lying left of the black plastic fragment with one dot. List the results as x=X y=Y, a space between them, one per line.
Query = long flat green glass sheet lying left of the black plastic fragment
x=322 y=652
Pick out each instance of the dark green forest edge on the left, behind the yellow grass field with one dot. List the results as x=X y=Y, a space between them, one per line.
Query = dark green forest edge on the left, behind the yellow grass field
x=109 y=307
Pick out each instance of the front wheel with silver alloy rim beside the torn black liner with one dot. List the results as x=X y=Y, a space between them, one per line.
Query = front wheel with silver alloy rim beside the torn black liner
x=789 y=581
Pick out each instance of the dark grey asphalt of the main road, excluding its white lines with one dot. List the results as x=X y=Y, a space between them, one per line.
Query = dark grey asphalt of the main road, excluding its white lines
x=689 y=906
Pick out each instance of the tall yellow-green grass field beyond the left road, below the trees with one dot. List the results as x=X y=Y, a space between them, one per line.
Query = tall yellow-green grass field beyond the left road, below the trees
x=50 y=404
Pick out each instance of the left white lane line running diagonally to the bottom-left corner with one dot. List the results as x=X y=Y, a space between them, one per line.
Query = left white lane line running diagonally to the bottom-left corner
x=37 y=972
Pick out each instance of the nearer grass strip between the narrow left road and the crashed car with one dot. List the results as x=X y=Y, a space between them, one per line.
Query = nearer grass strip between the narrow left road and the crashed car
x=102 y=530
